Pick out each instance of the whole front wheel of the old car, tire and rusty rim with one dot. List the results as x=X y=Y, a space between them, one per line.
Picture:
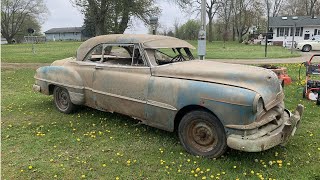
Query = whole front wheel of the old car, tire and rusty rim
x=201 y=133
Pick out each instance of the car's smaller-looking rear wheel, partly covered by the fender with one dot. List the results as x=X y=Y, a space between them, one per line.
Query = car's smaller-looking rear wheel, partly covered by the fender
x=62 y=100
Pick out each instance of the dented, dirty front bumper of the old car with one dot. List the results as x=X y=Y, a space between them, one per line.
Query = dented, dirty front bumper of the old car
x=278 y=136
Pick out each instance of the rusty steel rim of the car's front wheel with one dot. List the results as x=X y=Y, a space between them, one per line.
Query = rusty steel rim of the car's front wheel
x=202 y=135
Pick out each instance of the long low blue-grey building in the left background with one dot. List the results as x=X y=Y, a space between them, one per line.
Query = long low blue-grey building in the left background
x=68 y=33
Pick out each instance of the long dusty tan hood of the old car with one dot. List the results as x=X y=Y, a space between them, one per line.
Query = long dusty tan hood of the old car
x=262 y=81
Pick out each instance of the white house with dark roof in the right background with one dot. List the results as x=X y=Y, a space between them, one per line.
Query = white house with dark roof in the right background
x=303 y=28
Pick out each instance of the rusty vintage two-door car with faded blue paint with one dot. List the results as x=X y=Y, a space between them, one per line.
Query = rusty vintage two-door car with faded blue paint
x=156 y=80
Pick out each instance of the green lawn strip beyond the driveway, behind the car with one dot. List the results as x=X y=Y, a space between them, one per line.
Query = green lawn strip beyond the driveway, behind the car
x=50 y=51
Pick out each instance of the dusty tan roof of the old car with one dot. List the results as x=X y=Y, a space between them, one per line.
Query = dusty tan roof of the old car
x=146 y=40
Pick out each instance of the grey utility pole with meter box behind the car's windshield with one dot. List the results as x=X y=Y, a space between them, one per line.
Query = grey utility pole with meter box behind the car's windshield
x=202 y=32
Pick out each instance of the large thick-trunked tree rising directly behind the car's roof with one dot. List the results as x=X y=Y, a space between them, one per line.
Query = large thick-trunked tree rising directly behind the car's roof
x=113 y=16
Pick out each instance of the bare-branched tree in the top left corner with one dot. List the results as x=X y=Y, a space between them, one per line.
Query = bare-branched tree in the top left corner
x=15 y=13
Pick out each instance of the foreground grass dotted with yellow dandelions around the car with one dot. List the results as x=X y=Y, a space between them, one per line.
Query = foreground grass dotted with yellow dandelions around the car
x=38 y=142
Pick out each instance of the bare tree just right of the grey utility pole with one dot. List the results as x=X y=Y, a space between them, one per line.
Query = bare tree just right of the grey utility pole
x=212 y=6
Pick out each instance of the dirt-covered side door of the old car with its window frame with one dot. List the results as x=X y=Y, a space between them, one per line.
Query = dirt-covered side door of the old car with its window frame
x=120 y=81
